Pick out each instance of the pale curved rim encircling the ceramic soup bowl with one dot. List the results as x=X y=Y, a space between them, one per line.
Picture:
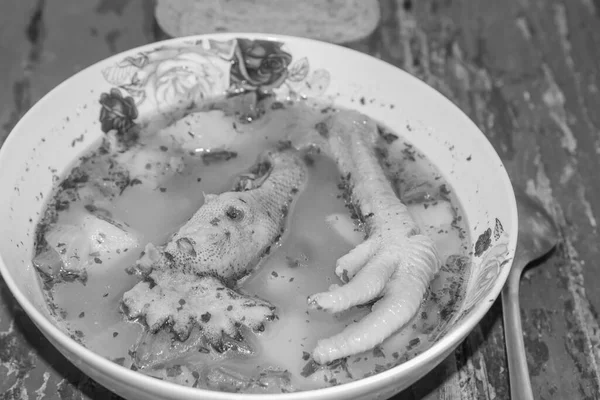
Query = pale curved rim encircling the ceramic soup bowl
x=440 y=348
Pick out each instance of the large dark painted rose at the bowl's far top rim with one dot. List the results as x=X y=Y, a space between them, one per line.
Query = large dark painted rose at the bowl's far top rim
x=259 y=64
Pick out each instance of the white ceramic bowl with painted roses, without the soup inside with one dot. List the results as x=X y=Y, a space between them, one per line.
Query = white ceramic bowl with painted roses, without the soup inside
x=66 y=122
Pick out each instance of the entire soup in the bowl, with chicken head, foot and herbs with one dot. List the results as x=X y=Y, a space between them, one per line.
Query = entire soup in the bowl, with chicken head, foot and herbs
x=207 y=254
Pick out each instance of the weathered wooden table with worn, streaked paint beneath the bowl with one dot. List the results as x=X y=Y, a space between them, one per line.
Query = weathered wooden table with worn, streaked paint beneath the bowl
x=524 y=70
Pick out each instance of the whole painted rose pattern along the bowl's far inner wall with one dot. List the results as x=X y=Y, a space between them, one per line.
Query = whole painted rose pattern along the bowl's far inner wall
x=169 y=79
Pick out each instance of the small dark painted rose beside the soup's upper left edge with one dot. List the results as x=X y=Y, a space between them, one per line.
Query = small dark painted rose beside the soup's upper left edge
x=117 y=112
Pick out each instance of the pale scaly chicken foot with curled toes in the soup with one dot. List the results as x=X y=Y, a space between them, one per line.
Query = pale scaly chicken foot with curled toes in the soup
x=393 y=265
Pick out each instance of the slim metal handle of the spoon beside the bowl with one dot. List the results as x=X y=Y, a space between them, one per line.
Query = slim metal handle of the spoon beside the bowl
x=520 y=385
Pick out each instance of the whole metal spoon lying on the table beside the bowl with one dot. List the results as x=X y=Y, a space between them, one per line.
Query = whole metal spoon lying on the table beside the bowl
x=537 y=236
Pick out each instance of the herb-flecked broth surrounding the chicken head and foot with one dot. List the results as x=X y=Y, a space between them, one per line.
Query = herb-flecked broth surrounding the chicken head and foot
x=164 y=185
